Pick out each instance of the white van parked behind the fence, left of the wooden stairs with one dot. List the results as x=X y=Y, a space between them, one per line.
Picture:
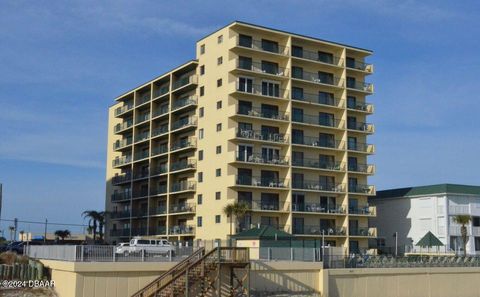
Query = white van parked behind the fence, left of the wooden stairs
x=154 y=246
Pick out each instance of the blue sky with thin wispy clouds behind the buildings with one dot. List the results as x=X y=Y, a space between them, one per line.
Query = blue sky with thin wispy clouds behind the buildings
x=63 y=63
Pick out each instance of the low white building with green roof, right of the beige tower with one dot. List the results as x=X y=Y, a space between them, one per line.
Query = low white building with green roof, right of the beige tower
x=412 y=212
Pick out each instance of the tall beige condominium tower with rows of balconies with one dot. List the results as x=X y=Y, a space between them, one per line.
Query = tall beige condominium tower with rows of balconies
x=270 y=118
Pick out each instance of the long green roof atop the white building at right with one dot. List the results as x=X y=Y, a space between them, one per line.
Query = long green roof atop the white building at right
x=428 y=190
